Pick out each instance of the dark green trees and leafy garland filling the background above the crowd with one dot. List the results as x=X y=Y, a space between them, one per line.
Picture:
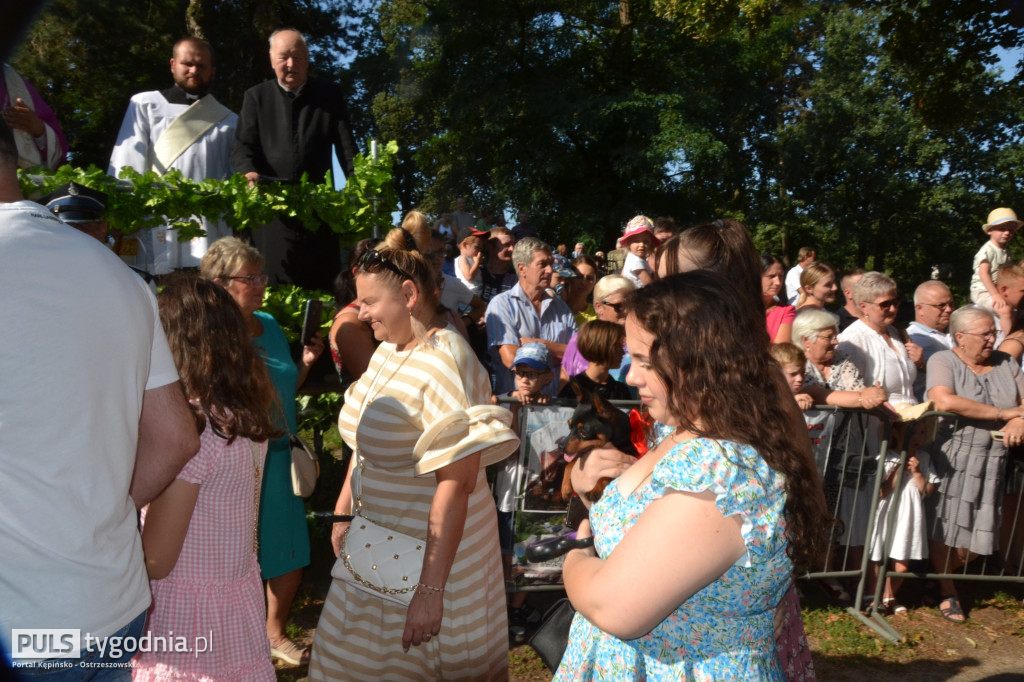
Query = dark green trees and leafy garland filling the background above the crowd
x=877 y=131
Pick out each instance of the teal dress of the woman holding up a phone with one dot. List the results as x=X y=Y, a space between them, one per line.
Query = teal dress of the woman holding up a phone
x=284 y=537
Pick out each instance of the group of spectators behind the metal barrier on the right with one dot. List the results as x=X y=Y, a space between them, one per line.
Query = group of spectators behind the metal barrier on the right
x=959 y=495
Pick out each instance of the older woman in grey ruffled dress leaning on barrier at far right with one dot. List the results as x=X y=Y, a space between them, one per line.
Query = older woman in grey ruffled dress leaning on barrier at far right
x=985 y=388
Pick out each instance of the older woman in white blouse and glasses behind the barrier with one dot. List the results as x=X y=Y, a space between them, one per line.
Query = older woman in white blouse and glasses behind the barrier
x=884 y=356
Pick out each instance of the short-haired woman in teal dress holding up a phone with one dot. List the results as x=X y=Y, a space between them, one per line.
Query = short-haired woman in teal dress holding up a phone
x=284 y=537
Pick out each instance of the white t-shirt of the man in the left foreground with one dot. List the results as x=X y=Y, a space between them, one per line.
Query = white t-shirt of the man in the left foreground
x=79 y=345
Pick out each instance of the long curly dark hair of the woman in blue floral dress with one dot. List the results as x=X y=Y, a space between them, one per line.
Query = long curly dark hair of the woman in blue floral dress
x=722 y=383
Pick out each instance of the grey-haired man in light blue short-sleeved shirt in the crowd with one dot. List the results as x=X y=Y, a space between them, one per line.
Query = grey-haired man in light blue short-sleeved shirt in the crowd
x=527 y=313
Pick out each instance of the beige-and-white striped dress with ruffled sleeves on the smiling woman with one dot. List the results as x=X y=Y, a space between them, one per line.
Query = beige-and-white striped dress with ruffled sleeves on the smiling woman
x=359 y=636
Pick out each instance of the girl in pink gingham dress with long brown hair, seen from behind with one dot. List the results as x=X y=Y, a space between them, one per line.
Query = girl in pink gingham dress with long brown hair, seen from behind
x=207 y=621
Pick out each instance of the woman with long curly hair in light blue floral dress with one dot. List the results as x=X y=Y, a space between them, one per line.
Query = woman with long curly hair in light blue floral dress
x=696 y=543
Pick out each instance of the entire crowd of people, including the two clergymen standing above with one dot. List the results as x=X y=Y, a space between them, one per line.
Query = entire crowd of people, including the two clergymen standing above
x=164 y=504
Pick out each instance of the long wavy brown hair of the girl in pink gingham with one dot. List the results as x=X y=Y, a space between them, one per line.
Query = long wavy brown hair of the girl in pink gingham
x=220 y=368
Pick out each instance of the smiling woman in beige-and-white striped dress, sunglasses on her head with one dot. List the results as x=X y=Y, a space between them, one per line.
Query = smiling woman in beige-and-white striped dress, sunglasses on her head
x=422 y=374
